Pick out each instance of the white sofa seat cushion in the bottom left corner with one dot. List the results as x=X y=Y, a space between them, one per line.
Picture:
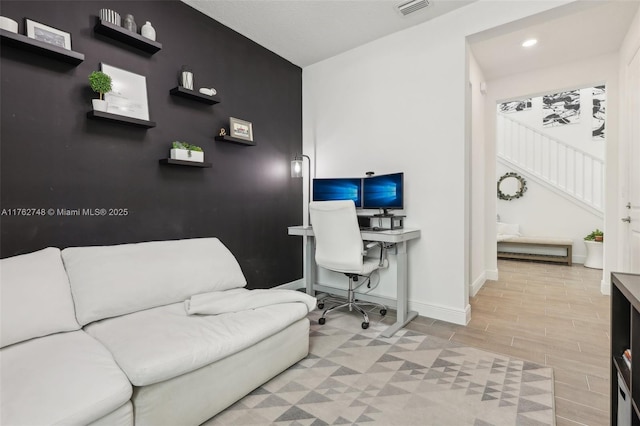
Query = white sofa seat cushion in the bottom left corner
x=65 y=378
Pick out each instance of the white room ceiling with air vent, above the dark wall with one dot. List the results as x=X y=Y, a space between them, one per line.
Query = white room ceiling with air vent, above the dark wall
x=307 y=31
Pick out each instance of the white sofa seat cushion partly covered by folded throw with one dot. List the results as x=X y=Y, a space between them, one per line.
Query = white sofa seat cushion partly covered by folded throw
x=161 y=343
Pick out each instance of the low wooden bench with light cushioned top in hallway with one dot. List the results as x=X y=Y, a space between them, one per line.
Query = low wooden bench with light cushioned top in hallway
x=520 y=244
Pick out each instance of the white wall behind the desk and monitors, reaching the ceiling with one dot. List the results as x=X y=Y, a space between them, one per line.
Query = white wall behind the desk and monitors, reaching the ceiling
x=398 y=103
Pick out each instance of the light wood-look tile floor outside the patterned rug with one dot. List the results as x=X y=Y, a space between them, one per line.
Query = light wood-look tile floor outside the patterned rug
x=550 y=314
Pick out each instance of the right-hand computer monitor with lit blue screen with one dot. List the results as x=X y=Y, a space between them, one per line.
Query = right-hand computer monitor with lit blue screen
x=383 y=192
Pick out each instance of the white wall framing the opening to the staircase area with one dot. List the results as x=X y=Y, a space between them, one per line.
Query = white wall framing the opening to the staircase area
x=598 y=70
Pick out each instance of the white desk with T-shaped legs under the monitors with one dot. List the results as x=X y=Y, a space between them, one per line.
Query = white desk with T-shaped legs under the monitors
x=399 y=237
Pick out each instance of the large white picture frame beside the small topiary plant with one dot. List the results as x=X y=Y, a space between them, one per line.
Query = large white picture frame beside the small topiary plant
x=128 y=95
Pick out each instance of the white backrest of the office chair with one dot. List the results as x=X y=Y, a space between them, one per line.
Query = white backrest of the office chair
x=339 y=245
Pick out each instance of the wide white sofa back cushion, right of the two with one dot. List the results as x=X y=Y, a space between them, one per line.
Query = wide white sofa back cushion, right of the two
x=108 y=281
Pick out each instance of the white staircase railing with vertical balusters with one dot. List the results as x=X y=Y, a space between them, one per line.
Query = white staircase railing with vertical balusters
x=566 y=170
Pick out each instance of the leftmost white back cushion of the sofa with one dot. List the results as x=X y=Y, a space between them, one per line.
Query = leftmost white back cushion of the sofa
x=36 y=298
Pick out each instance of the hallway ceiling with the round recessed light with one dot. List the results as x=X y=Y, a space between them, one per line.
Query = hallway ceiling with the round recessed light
x=577 y=31
